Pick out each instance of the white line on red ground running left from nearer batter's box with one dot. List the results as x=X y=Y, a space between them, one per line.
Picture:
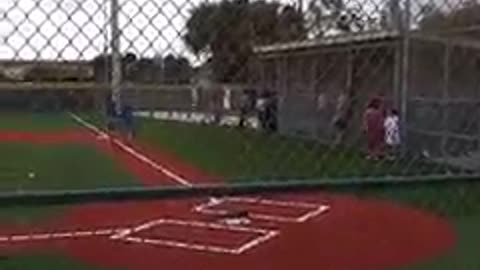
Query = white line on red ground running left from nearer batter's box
x=59 y=235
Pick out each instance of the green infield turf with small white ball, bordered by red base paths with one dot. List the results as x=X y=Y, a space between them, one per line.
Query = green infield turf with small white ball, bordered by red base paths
x=55 y=167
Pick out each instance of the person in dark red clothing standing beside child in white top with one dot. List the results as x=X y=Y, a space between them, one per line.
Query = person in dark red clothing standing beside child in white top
x=373 y=123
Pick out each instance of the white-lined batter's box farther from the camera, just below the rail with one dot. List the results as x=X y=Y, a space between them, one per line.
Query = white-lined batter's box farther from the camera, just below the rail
x=315 y=210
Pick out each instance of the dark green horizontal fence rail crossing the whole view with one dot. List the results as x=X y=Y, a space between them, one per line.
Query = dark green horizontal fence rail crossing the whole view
x=80 y=197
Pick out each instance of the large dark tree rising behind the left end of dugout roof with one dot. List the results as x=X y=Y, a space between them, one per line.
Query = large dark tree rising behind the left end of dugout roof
x=228 y=30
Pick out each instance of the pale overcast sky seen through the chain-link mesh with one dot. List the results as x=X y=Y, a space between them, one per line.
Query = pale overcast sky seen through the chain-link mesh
x=78 y=29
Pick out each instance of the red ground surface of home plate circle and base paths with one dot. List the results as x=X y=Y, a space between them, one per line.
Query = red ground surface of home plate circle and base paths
x=301 y=231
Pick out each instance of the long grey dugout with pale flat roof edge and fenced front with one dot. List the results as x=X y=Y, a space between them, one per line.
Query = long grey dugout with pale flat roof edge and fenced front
x=432 y=80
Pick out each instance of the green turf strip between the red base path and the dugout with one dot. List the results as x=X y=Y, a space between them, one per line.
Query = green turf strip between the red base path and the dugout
x=252 y=156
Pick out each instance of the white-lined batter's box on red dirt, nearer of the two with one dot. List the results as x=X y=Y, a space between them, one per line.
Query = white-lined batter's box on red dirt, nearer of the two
x=263 y=236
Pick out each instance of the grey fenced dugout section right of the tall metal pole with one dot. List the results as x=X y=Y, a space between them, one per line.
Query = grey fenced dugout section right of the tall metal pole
x=444 y=104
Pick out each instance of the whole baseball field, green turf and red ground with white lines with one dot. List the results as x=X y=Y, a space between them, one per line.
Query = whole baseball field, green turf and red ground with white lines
x=425 y=228
